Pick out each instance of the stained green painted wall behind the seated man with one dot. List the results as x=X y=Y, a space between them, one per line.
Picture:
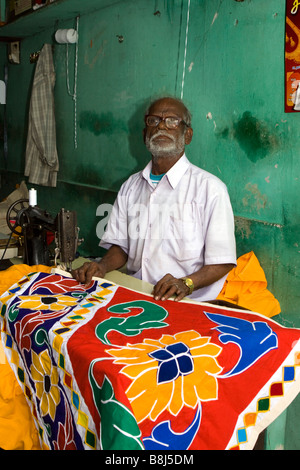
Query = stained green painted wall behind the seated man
x=234 y=86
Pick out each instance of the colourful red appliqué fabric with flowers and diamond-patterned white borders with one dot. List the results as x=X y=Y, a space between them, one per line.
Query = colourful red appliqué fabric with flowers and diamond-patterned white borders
x=104 y=367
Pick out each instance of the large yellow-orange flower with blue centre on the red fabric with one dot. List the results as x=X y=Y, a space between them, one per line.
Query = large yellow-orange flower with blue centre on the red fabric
x=175 y=371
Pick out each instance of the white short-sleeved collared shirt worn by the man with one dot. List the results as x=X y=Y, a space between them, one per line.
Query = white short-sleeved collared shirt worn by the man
x=176 y=226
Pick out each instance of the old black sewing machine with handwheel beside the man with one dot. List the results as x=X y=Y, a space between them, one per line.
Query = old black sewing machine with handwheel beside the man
x=37 y=230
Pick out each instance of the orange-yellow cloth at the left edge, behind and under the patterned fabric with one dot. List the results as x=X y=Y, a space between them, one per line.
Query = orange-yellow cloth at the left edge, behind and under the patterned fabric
x=17 y=428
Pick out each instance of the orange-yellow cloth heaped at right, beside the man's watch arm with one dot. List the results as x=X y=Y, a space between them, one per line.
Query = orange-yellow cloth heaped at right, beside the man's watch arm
x=246 y=286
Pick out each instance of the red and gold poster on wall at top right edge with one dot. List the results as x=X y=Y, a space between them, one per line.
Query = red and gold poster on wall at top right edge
x=292 y=56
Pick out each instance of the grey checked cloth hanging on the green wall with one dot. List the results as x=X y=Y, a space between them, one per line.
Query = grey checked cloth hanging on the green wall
x=42 y=164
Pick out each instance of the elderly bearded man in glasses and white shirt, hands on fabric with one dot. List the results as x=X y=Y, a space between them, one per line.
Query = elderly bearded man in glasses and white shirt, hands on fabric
x=172 y=223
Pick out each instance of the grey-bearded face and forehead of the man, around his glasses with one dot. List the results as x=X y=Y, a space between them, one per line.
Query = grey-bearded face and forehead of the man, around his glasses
x=164 y=142
